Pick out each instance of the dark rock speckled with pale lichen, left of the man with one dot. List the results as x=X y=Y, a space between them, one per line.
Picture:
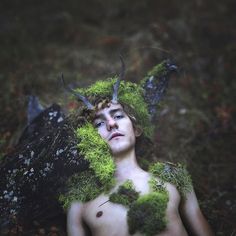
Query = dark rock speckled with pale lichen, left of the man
x=33 y=175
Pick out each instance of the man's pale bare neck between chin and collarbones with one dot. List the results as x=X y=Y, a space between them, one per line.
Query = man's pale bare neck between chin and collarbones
x=126 y=166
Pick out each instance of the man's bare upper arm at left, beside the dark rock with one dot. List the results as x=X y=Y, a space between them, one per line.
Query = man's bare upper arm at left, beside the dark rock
x=75 y=220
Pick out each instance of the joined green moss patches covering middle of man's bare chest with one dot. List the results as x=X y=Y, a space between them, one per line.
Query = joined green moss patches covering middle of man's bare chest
x=146 y=213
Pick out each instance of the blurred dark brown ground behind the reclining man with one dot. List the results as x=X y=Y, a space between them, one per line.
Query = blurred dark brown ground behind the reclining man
x=83 y=39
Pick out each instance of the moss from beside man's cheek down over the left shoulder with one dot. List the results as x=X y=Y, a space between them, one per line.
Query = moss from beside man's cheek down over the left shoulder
x=99 y=178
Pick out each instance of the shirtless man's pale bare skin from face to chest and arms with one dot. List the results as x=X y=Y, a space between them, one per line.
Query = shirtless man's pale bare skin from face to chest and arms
x=104 y=218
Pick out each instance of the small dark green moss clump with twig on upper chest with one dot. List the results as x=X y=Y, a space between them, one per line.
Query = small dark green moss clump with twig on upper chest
x=125 y=195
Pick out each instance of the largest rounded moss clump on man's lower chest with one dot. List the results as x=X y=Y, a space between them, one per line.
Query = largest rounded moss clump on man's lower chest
x=147 y=214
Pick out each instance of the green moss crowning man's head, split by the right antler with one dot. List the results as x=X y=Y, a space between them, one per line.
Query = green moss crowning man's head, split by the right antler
x=129 y=93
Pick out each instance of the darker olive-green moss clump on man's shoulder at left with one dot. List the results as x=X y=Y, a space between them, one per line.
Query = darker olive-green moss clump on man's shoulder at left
x=81 y=187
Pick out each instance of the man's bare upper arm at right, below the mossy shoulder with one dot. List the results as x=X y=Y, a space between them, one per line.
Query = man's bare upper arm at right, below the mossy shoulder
x=192 y=216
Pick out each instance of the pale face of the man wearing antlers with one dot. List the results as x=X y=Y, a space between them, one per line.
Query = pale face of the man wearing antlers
x=116 y=128
